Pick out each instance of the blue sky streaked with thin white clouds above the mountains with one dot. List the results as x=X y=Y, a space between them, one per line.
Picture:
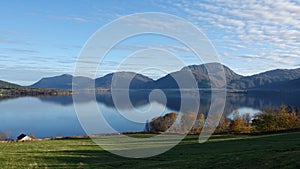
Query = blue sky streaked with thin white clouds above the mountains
x=44 y=38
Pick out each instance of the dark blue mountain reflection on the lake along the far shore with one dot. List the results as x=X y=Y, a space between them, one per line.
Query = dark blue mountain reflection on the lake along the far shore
x=255 y=100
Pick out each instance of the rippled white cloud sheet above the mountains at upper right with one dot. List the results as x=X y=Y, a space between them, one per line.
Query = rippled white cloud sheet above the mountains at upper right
x=268 y=29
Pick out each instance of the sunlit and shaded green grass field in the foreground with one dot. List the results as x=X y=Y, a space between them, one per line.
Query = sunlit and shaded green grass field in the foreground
x=221 y=151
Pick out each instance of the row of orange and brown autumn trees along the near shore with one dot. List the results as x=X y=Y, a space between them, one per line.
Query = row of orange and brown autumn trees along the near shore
x=278 y=119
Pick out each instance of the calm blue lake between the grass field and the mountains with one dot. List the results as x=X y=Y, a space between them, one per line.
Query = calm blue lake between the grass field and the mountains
x=55 y=116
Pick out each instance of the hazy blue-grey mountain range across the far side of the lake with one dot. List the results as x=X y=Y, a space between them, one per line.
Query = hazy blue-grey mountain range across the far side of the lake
x=279 y=79
